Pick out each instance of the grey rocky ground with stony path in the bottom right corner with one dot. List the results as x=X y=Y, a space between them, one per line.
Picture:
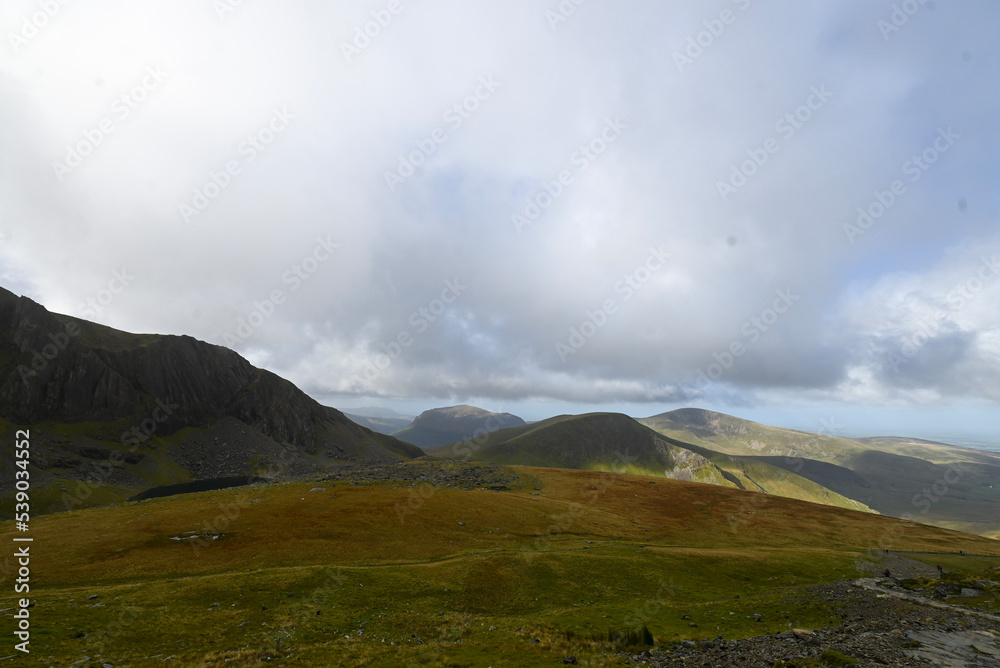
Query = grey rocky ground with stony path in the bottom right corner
x=884 y=624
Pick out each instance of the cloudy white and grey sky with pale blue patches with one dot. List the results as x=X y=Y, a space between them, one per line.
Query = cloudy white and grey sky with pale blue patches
x=783 y=211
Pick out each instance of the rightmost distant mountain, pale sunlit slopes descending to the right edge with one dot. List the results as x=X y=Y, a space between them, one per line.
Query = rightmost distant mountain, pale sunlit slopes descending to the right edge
x=935 y=483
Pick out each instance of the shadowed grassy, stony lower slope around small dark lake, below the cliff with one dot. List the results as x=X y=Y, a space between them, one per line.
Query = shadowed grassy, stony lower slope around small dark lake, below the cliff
x=89 y=464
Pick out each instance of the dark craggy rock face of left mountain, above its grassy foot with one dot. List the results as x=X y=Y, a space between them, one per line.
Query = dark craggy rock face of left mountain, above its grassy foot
x=59 y=369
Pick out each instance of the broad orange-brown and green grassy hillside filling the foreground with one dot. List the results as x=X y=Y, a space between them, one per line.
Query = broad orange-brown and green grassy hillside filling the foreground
x=316 y=574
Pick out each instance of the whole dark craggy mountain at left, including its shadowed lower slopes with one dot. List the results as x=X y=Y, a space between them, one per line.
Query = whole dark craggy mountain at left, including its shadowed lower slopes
x=130 y=411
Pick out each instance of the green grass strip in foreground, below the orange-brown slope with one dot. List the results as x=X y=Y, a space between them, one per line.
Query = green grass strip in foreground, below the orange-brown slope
x=361 y=606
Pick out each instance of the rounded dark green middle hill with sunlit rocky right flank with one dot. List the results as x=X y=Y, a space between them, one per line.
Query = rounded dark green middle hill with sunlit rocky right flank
x=616 y=442
